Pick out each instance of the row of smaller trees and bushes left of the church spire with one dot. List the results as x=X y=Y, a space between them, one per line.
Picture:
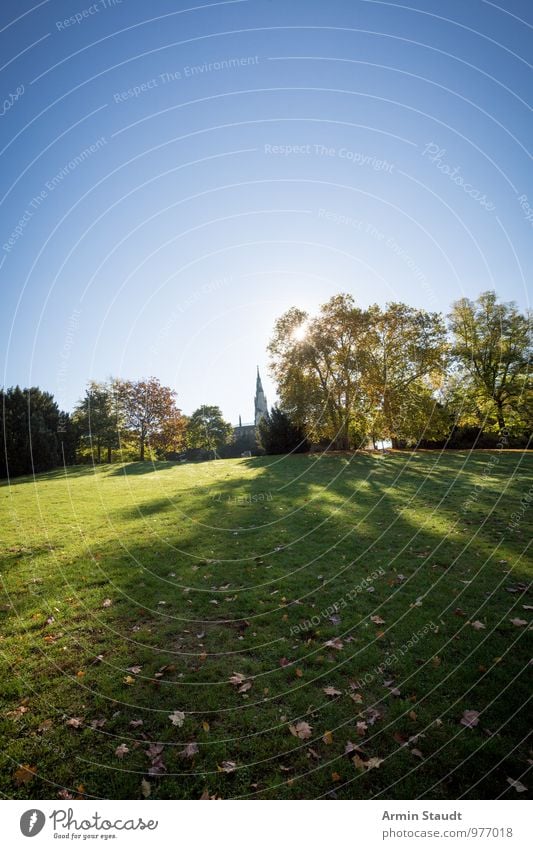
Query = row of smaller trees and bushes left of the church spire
x=119 y=419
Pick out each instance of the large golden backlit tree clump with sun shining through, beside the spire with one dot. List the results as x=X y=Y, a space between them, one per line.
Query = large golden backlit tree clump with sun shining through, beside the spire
x=351 y=374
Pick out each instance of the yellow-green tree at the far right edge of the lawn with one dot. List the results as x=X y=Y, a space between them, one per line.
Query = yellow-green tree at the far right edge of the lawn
x=492 y=353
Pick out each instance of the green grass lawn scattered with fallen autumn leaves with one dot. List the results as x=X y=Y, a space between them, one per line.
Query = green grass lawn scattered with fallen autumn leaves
x=133 y=594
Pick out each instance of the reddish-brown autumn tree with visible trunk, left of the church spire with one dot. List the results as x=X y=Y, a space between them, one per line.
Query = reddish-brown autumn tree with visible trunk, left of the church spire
x=144 y=406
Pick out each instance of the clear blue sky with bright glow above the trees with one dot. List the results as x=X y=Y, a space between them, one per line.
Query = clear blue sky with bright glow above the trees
x=175 y=175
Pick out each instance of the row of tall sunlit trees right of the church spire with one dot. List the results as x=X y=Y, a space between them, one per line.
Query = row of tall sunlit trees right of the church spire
x=350 y=375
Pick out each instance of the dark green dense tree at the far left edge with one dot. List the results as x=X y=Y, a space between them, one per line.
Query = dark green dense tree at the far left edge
x=29 y=420
